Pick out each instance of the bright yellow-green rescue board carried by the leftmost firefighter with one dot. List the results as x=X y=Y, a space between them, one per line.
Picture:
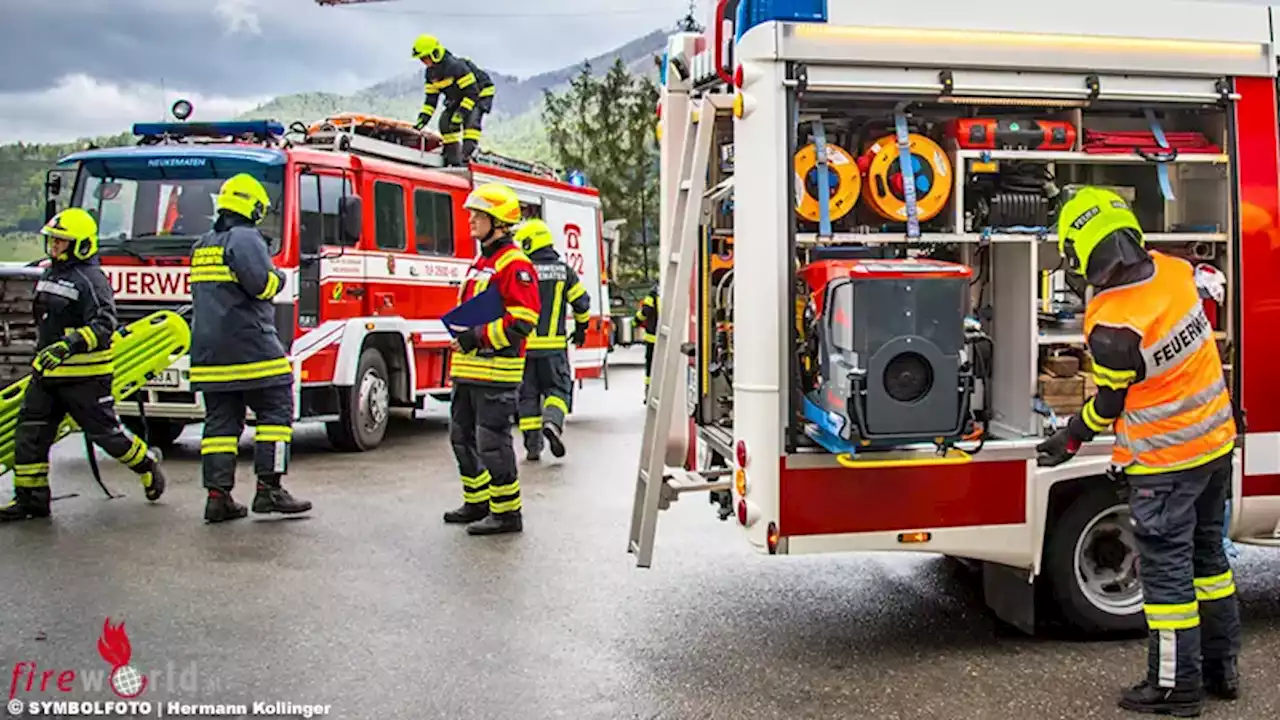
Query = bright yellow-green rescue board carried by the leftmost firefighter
x=143 y=349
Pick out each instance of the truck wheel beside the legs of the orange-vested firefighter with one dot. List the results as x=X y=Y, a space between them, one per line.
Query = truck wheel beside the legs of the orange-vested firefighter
x=1091 y=563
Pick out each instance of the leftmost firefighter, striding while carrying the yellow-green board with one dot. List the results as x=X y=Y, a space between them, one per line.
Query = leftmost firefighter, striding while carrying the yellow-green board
x=75 y=313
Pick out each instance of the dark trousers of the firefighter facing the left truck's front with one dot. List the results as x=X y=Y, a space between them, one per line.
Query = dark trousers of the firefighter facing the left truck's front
x=225 y=422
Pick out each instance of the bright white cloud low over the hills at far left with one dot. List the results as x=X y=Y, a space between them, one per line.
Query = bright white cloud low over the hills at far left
x=80 y=106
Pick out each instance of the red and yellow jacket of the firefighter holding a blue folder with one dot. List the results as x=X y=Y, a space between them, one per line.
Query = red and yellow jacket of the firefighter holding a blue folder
x=495 y=354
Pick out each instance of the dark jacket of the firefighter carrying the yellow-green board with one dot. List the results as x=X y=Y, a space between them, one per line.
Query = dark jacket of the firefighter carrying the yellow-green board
x=75 y=303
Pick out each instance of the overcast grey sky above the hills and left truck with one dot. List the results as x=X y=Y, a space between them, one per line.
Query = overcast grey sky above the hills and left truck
x=75 y=69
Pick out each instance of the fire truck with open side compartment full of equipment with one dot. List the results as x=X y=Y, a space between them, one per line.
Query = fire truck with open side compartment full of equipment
x=906 y=334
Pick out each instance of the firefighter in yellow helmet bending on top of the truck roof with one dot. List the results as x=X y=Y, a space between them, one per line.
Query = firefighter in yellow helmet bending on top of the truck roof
x=468 y=92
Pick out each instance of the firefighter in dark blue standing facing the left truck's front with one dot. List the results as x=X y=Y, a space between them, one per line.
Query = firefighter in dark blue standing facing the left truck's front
x=237 y=359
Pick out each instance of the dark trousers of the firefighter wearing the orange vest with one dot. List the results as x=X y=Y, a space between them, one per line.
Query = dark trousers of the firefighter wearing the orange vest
x=1188 y=590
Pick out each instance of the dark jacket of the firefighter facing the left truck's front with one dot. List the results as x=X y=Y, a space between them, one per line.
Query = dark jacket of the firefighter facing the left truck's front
x=235 y=344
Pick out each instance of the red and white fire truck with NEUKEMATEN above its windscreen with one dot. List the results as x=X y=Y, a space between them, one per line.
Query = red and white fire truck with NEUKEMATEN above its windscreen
x=369 y=230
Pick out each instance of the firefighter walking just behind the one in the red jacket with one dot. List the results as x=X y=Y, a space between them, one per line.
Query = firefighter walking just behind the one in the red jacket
x=548 y=386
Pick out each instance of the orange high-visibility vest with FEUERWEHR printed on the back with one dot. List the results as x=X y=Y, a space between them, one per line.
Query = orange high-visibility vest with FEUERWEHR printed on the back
x=1178 y=413
